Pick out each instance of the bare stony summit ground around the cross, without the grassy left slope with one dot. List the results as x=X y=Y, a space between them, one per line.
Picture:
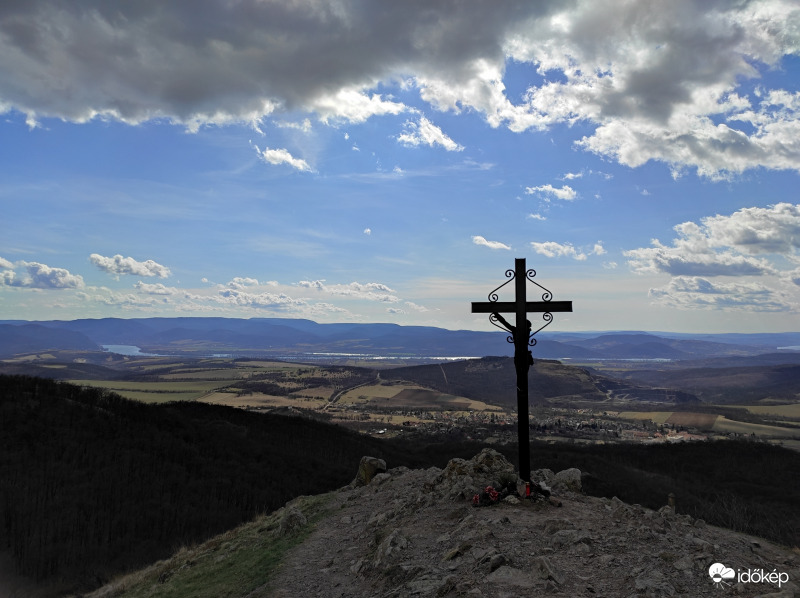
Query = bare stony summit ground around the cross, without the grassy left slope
x=428 y=533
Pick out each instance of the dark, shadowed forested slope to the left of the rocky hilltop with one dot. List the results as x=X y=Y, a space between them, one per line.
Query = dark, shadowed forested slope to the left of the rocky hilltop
x=92 y=484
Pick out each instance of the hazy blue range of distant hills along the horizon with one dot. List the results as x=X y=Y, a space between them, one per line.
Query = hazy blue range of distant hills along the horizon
x=176 y=336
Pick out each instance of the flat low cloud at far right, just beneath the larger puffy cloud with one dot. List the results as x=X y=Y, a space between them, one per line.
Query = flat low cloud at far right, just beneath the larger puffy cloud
x=693 y=292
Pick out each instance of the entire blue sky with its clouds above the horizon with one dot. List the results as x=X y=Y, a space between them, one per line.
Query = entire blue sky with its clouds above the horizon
x=384 y=161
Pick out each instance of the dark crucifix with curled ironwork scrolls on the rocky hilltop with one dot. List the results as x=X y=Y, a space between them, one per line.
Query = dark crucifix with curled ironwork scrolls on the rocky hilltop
x=522 y=356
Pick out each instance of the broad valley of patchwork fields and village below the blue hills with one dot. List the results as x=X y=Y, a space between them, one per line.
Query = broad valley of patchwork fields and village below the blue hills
x=470 y=399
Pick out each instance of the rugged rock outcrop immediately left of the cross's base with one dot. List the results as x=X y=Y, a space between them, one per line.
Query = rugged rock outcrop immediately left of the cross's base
x=462 y=478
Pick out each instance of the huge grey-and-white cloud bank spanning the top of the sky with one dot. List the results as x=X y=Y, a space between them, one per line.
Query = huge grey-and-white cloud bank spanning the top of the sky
x=667 y=81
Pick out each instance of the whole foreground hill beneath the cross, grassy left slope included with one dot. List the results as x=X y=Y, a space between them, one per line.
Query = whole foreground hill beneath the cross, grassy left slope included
x=416 y=533
